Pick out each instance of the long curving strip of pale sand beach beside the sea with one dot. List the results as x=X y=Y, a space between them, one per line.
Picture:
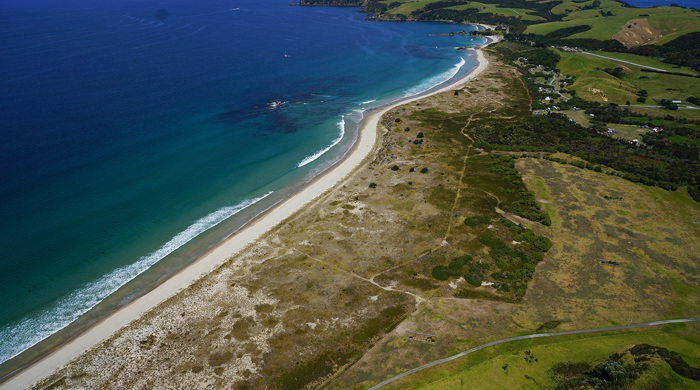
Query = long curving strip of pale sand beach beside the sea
x=237 y=241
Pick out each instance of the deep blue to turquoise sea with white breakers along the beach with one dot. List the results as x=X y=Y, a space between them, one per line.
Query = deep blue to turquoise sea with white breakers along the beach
x=134 y=129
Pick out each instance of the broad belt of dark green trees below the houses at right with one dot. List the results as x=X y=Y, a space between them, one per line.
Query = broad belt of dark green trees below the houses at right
x=655 y=166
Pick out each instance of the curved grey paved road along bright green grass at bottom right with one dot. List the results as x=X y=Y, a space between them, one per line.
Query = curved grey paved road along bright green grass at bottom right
x=529 y=336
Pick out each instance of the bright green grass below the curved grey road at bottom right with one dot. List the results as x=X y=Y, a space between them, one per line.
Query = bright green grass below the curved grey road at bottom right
x=486 y=370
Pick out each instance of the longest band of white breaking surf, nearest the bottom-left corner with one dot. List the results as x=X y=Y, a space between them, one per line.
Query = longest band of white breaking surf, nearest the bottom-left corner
x=16 y=338
